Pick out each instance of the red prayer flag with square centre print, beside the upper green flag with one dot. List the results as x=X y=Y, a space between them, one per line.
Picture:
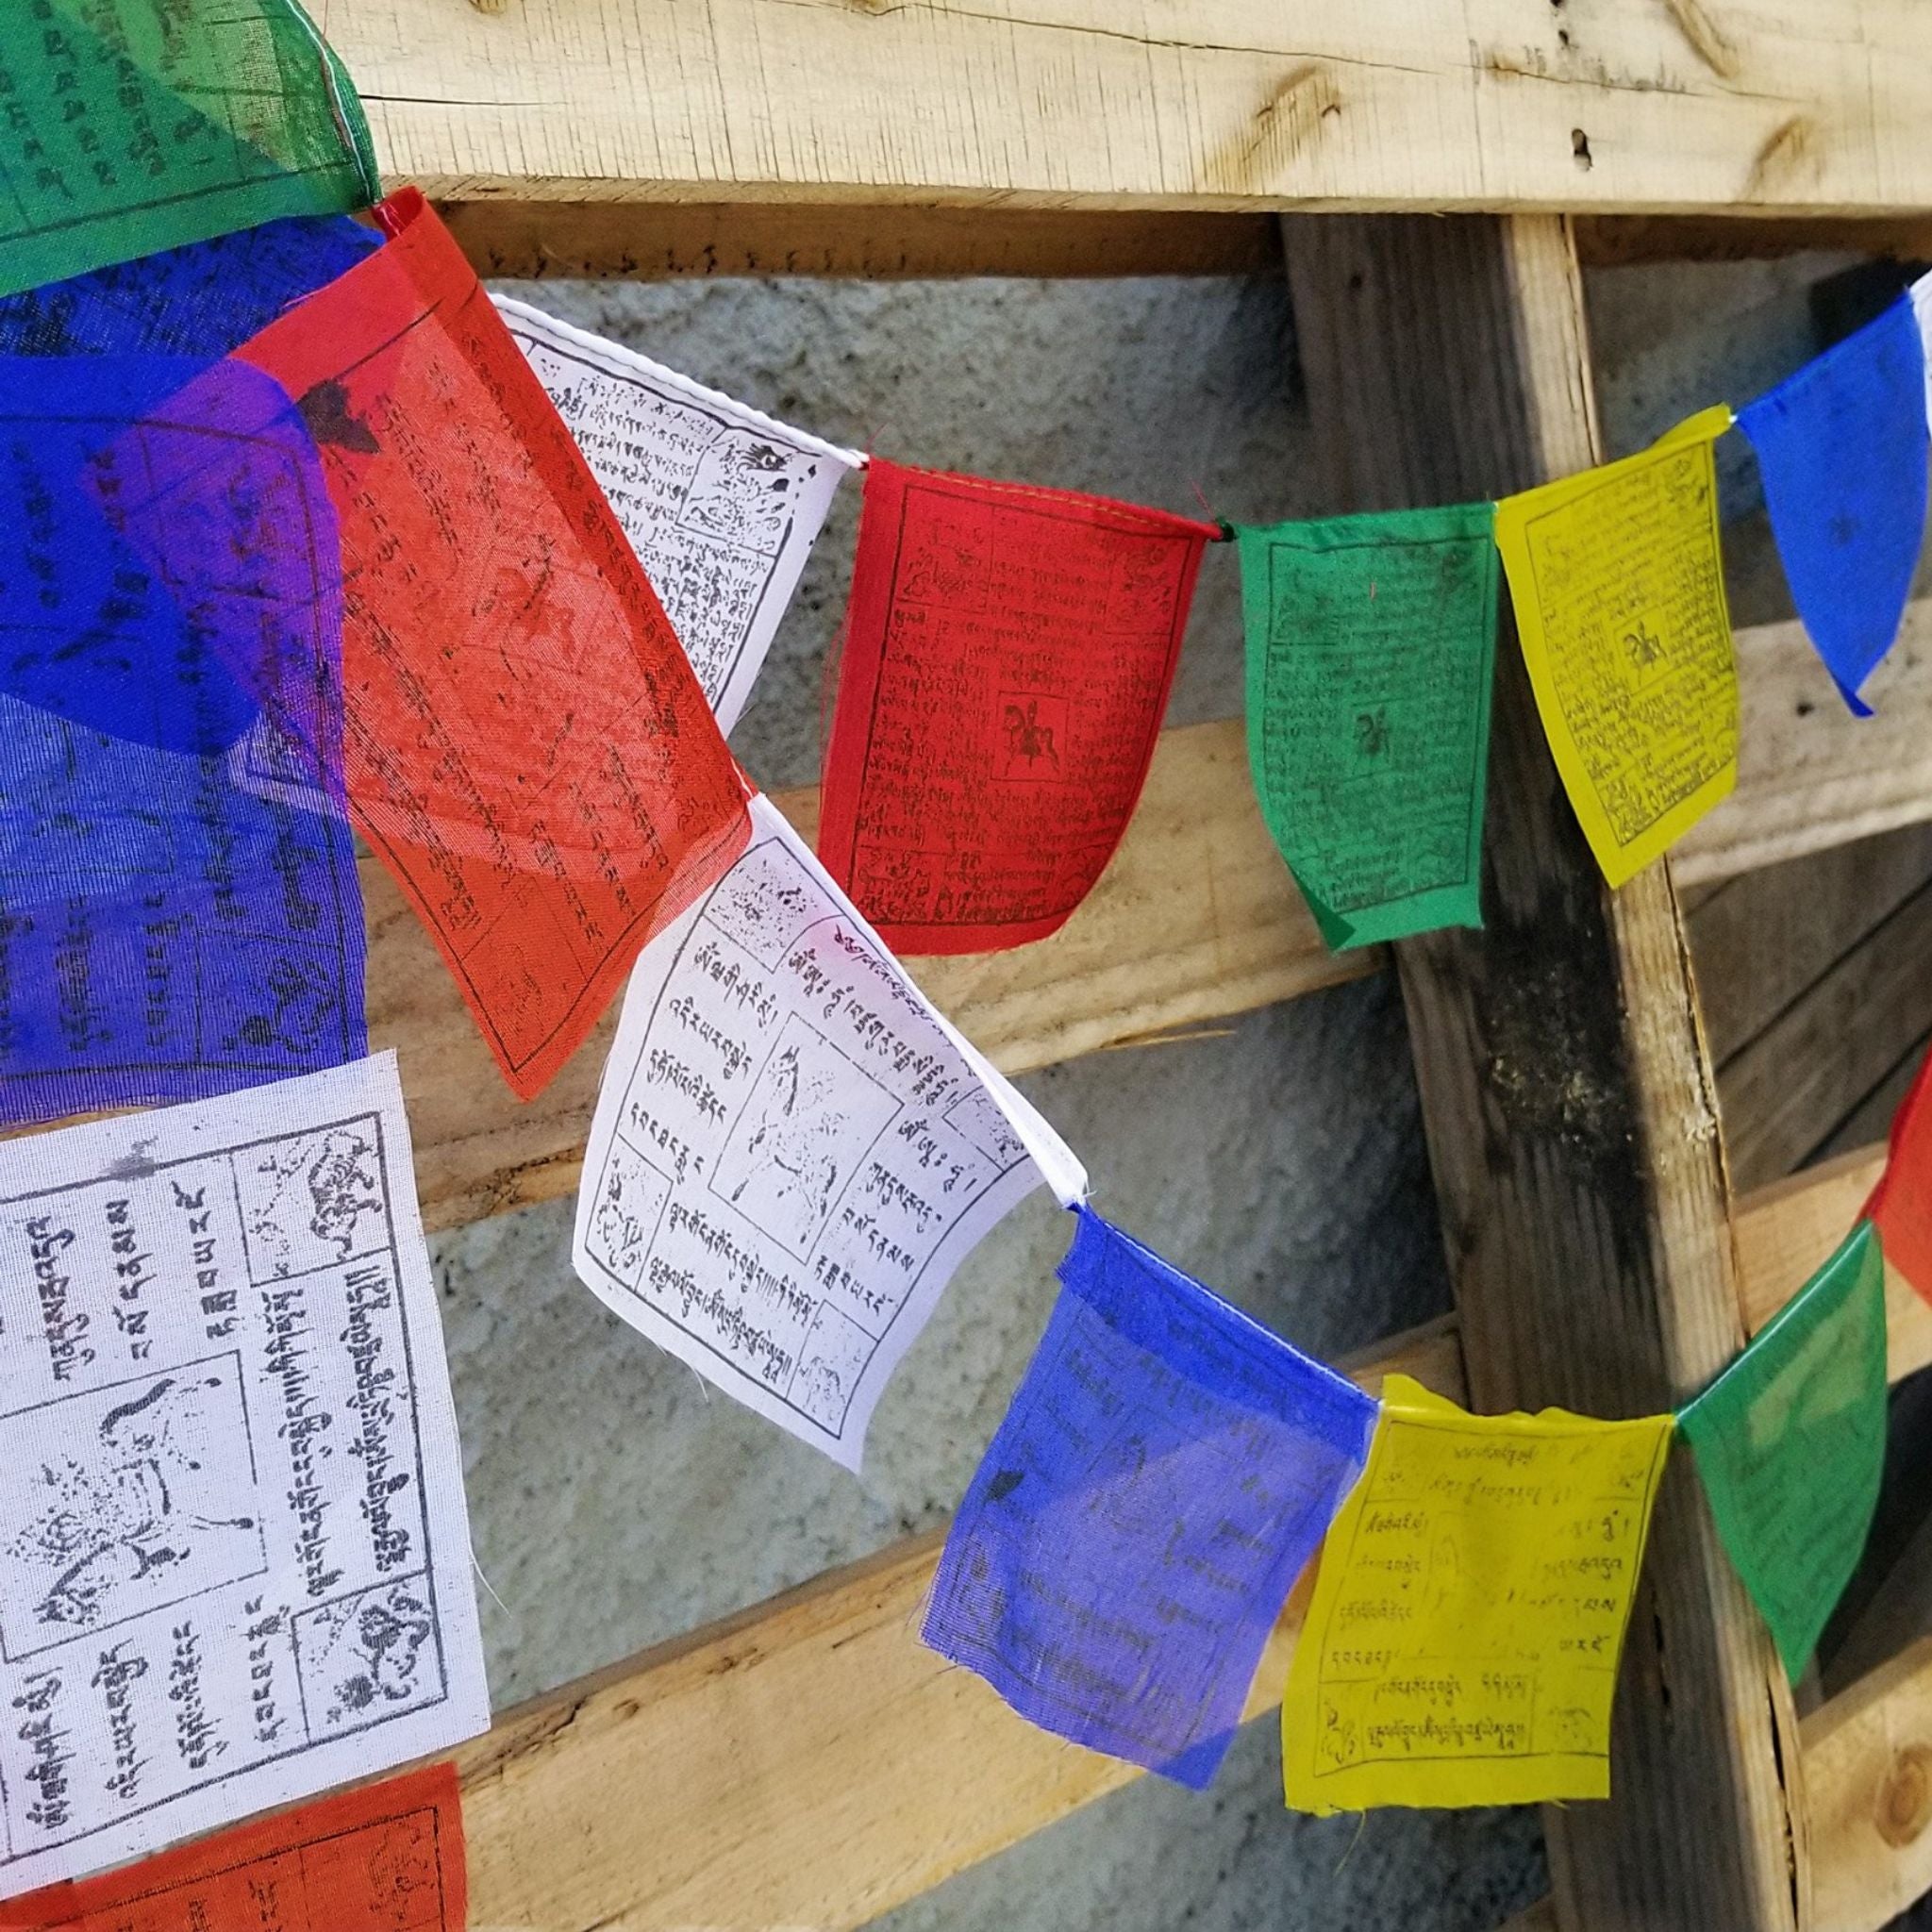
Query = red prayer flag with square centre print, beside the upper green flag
x=1008 y=664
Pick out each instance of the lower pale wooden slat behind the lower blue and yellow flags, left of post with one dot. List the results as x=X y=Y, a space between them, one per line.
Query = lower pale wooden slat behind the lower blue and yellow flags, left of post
x=809 y=1763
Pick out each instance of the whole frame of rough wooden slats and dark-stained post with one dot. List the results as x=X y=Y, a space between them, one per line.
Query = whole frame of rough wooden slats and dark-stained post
x=809 y=1763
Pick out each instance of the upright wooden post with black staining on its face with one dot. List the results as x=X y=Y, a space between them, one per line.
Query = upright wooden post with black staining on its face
x=1566 y=1089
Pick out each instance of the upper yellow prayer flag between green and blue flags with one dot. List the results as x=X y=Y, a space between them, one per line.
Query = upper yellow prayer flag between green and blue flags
x=1618 y=584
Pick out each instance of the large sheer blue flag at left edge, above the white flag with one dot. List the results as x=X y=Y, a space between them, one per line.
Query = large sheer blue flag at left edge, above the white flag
x=165 y=930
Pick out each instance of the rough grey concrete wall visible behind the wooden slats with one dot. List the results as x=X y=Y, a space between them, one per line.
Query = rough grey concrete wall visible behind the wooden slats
x=619 y=1502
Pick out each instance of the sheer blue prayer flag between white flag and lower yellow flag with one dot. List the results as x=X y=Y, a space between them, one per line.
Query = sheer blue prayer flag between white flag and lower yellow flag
x=1162 y=1477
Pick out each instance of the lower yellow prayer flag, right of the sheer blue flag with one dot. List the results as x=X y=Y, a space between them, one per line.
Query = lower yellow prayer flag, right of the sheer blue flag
x=1469 y=1614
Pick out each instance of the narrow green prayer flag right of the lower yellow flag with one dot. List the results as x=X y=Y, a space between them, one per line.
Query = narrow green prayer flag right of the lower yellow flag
x=1792 y=1442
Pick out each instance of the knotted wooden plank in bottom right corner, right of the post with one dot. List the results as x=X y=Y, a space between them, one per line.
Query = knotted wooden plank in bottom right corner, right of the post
x=1869 y=1778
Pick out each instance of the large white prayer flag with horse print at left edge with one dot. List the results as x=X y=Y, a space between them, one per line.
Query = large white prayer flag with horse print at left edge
x=235 y=1558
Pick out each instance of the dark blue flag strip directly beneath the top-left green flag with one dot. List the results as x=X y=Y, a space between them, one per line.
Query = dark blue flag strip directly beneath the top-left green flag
x=200 y=300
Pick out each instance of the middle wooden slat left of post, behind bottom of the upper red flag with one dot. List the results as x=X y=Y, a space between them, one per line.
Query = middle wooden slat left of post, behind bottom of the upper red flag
x=1195 y=919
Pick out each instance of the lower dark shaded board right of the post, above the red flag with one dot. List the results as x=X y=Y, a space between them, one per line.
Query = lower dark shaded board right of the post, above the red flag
x=1813 y=1065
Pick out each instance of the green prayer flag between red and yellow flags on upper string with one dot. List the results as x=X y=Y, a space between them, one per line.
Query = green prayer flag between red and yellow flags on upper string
x=1371 y=648
